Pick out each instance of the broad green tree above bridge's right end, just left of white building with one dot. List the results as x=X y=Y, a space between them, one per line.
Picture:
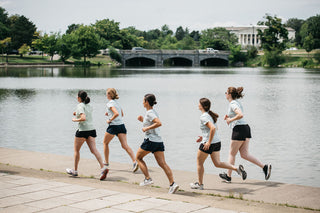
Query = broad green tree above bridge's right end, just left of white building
x=218 y=38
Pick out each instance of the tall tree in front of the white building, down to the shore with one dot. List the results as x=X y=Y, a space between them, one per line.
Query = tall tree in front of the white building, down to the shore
x=273 y=40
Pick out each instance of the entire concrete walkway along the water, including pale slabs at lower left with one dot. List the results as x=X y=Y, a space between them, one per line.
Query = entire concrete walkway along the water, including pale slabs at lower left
x=246 y=196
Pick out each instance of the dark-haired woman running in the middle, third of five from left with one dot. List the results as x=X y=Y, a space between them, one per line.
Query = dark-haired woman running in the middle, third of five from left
x=153 y=143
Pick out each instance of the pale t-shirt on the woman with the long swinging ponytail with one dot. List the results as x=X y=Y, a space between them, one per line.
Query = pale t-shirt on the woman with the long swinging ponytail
x=204 y=119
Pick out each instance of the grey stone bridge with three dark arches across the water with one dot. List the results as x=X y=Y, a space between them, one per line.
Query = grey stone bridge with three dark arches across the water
x=160 y=58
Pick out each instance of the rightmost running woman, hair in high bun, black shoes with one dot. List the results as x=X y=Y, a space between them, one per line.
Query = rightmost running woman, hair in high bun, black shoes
x=241 y=134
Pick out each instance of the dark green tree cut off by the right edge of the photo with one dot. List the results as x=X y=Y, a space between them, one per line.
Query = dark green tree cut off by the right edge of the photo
x=311 y=30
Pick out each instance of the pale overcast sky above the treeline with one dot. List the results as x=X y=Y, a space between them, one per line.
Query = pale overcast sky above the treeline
x=56 y=15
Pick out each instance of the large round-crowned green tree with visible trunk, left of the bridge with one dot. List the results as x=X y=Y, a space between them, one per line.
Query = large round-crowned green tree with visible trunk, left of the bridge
x=86 y=42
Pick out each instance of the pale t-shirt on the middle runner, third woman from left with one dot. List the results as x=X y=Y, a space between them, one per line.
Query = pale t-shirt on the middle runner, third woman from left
x=152 y=134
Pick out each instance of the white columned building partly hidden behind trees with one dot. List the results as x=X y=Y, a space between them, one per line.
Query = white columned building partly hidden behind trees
x=249 y=35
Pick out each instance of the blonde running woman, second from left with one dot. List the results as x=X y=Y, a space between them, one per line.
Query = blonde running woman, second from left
x=116 y=128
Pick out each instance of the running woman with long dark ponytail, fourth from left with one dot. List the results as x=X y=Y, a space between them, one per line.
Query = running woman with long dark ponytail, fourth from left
x=210 y=144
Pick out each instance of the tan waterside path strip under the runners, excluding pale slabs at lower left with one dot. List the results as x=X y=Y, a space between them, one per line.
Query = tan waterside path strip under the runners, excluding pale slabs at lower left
x=251 y=195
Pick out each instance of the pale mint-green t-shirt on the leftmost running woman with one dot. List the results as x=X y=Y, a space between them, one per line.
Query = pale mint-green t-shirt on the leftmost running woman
x=87 y=110
